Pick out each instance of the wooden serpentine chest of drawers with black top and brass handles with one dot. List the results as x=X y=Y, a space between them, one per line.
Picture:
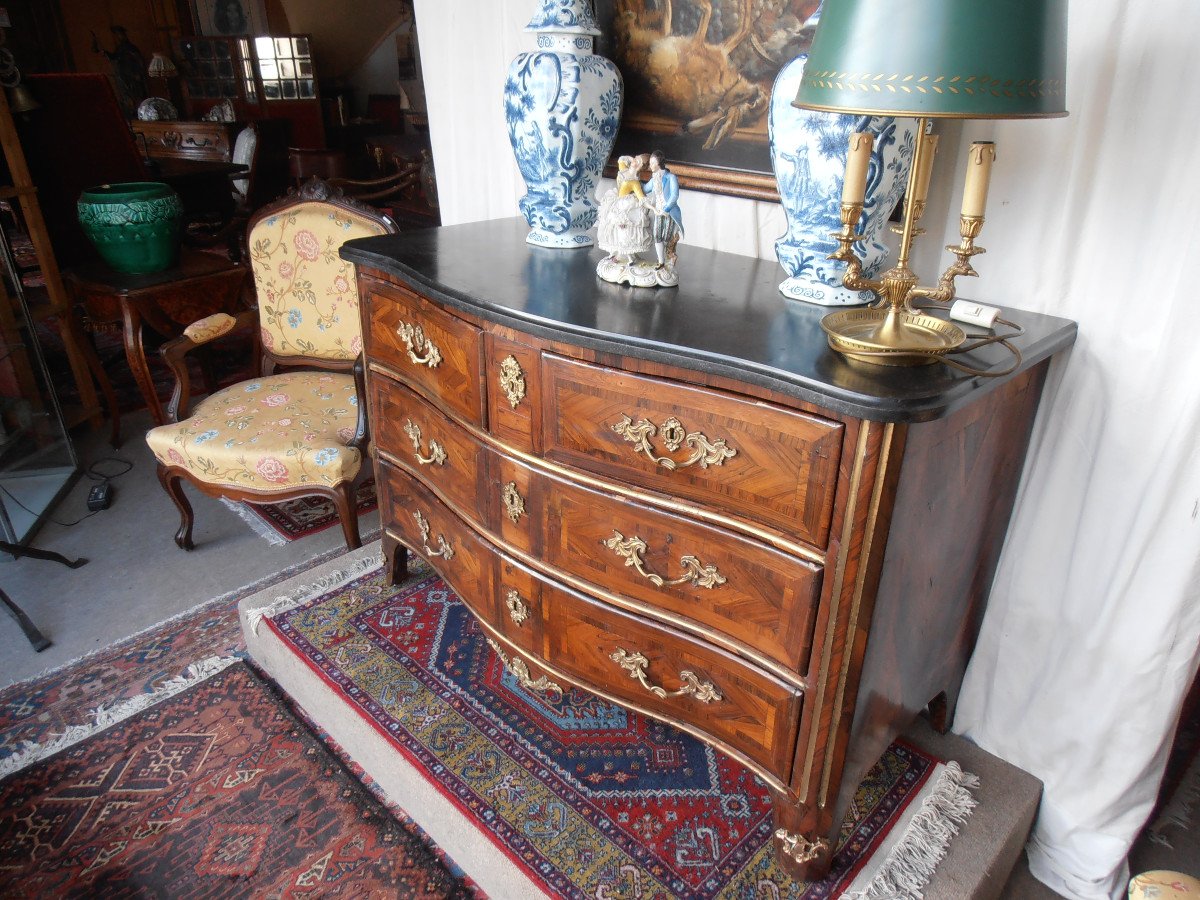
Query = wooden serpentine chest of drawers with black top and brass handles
x=685 y=502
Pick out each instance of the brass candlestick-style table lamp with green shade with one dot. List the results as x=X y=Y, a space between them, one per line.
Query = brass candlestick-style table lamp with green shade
x=949 y=59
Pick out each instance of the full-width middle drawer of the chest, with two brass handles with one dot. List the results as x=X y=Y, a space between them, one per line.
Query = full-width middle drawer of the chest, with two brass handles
x=736 y=586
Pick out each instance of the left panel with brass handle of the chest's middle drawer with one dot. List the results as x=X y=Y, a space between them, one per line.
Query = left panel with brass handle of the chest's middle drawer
x=442 y=454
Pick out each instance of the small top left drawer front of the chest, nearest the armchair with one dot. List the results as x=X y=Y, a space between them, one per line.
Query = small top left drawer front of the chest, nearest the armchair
x=442 y=357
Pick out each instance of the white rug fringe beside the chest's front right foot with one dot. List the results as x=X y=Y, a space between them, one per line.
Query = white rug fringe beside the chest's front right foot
x=913 y=861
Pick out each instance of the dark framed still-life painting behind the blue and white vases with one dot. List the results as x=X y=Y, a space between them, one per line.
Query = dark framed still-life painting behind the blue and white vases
x=698 y=81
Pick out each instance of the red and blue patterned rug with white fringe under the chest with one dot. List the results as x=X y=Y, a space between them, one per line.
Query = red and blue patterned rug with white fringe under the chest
x=591 y=800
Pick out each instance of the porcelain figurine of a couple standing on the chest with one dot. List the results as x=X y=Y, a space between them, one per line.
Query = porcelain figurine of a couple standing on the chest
x=638 y=218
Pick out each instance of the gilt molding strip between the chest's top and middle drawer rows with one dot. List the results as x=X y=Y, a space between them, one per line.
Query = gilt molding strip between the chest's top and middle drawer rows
x=807 y=553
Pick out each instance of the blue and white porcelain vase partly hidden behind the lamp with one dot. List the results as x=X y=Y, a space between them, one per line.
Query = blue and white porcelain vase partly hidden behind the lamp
x=808 y=152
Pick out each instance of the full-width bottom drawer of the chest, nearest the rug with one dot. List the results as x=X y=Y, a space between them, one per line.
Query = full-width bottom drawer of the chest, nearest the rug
x=664 y=671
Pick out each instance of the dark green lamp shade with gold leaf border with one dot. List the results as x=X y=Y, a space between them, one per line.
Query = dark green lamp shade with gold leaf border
x=963 y=59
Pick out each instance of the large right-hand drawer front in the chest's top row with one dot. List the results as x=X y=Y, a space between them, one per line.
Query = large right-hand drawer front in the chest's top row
x=754 y=460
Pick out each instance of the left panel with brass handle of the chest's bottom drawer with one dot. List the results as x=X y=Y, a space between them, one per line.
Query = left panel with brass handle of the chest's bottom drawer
x=431 y=531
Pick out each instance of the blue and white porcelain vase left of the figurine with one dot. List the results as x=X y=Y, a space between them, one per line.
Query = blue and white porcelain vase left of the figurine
x=562 y=104
